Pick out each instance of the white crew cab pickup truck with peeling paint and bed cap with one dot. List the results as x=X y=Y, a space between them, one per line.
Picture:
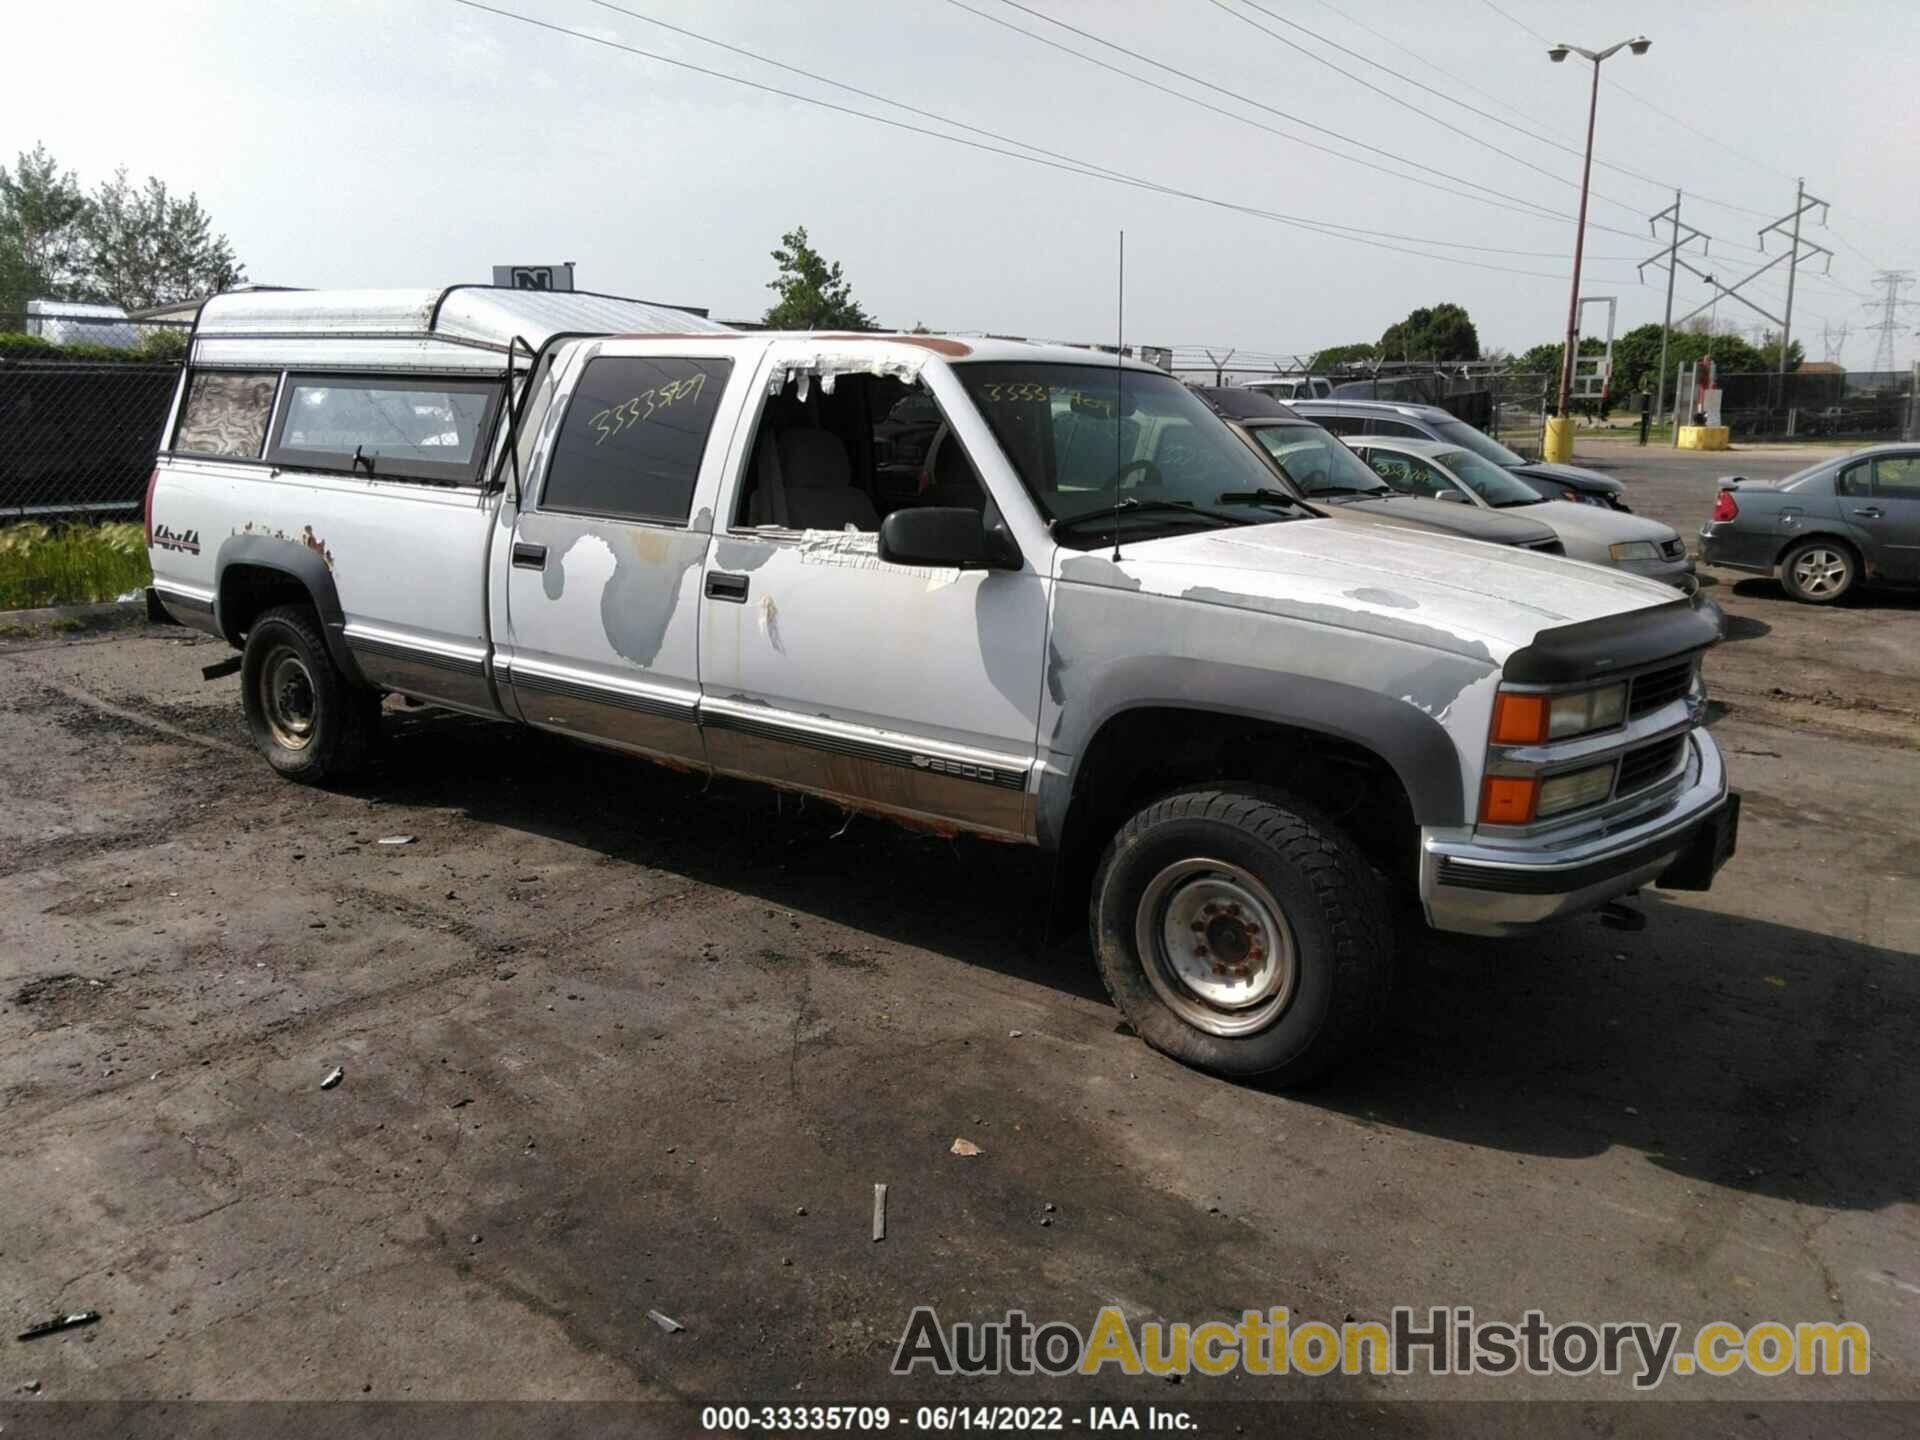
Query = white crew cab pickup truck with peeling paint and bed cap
x=1080 y=617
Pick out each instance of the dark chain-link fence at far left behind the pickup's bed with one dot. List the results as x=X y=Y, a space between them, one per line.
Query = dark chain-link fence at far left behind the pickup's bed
x=82 y=408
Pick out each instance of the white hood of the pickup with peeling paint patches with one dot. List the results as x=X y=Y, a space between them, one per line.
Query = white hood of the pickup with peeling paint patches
x=1433 y=590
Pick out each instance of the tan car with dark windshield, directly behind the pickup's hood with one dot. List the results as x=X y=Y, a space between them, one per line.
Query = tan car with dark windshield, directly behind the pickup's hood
x=1318 y=466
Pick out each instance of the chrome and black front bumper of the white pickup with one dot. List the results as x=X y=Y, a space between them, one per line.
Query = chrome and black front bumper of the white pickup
x=1493 y=888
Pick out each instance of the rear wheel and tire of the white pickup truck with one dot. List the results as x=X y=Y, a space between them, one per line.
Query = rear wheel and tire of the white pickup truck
x=306 y=717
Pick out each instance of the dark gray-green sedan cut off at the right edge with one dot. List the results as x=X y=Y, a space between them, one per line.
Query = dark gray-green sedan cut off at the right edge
x=1846 y=521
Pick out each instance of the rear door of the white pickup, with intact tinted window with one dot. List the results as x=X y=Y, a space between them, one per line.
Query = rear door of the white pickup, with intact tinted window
x=610 y=540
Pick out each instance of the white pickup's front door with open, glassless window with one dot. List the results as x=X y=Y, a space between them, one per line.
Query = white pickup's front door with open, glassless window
x=905 y=690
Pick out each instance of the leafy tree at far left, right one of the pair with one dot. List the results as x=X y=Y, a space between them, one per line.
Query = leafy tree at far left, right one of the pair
x=145 y=247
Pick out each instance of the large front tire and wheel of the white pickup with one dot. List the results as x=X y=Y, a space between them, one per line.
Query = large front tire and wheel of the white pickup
x=1243 y=934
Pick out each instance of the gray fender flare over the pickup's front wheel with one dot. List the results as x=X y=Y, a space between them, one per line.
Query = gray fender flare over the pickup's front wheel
x=1414 y=744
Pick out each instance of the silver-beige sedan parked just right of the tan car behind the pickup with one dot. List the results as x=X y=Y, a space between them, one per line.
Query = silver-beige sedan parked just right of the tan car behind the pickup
x=1449 y=473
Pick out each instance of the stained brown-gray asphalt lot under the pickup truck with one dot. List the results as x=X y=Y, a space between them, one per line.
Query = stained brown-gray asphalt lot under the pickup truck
x=615 y=1042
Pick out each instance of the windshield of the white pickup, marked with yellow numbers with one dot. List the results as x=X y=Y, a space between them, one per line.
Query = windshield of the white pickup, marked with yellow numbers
x=1090 y=437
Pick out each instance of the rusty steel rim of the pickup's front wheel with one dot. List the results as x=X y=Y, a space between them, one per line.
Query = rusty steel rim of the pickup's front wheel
x=1216 y=948
